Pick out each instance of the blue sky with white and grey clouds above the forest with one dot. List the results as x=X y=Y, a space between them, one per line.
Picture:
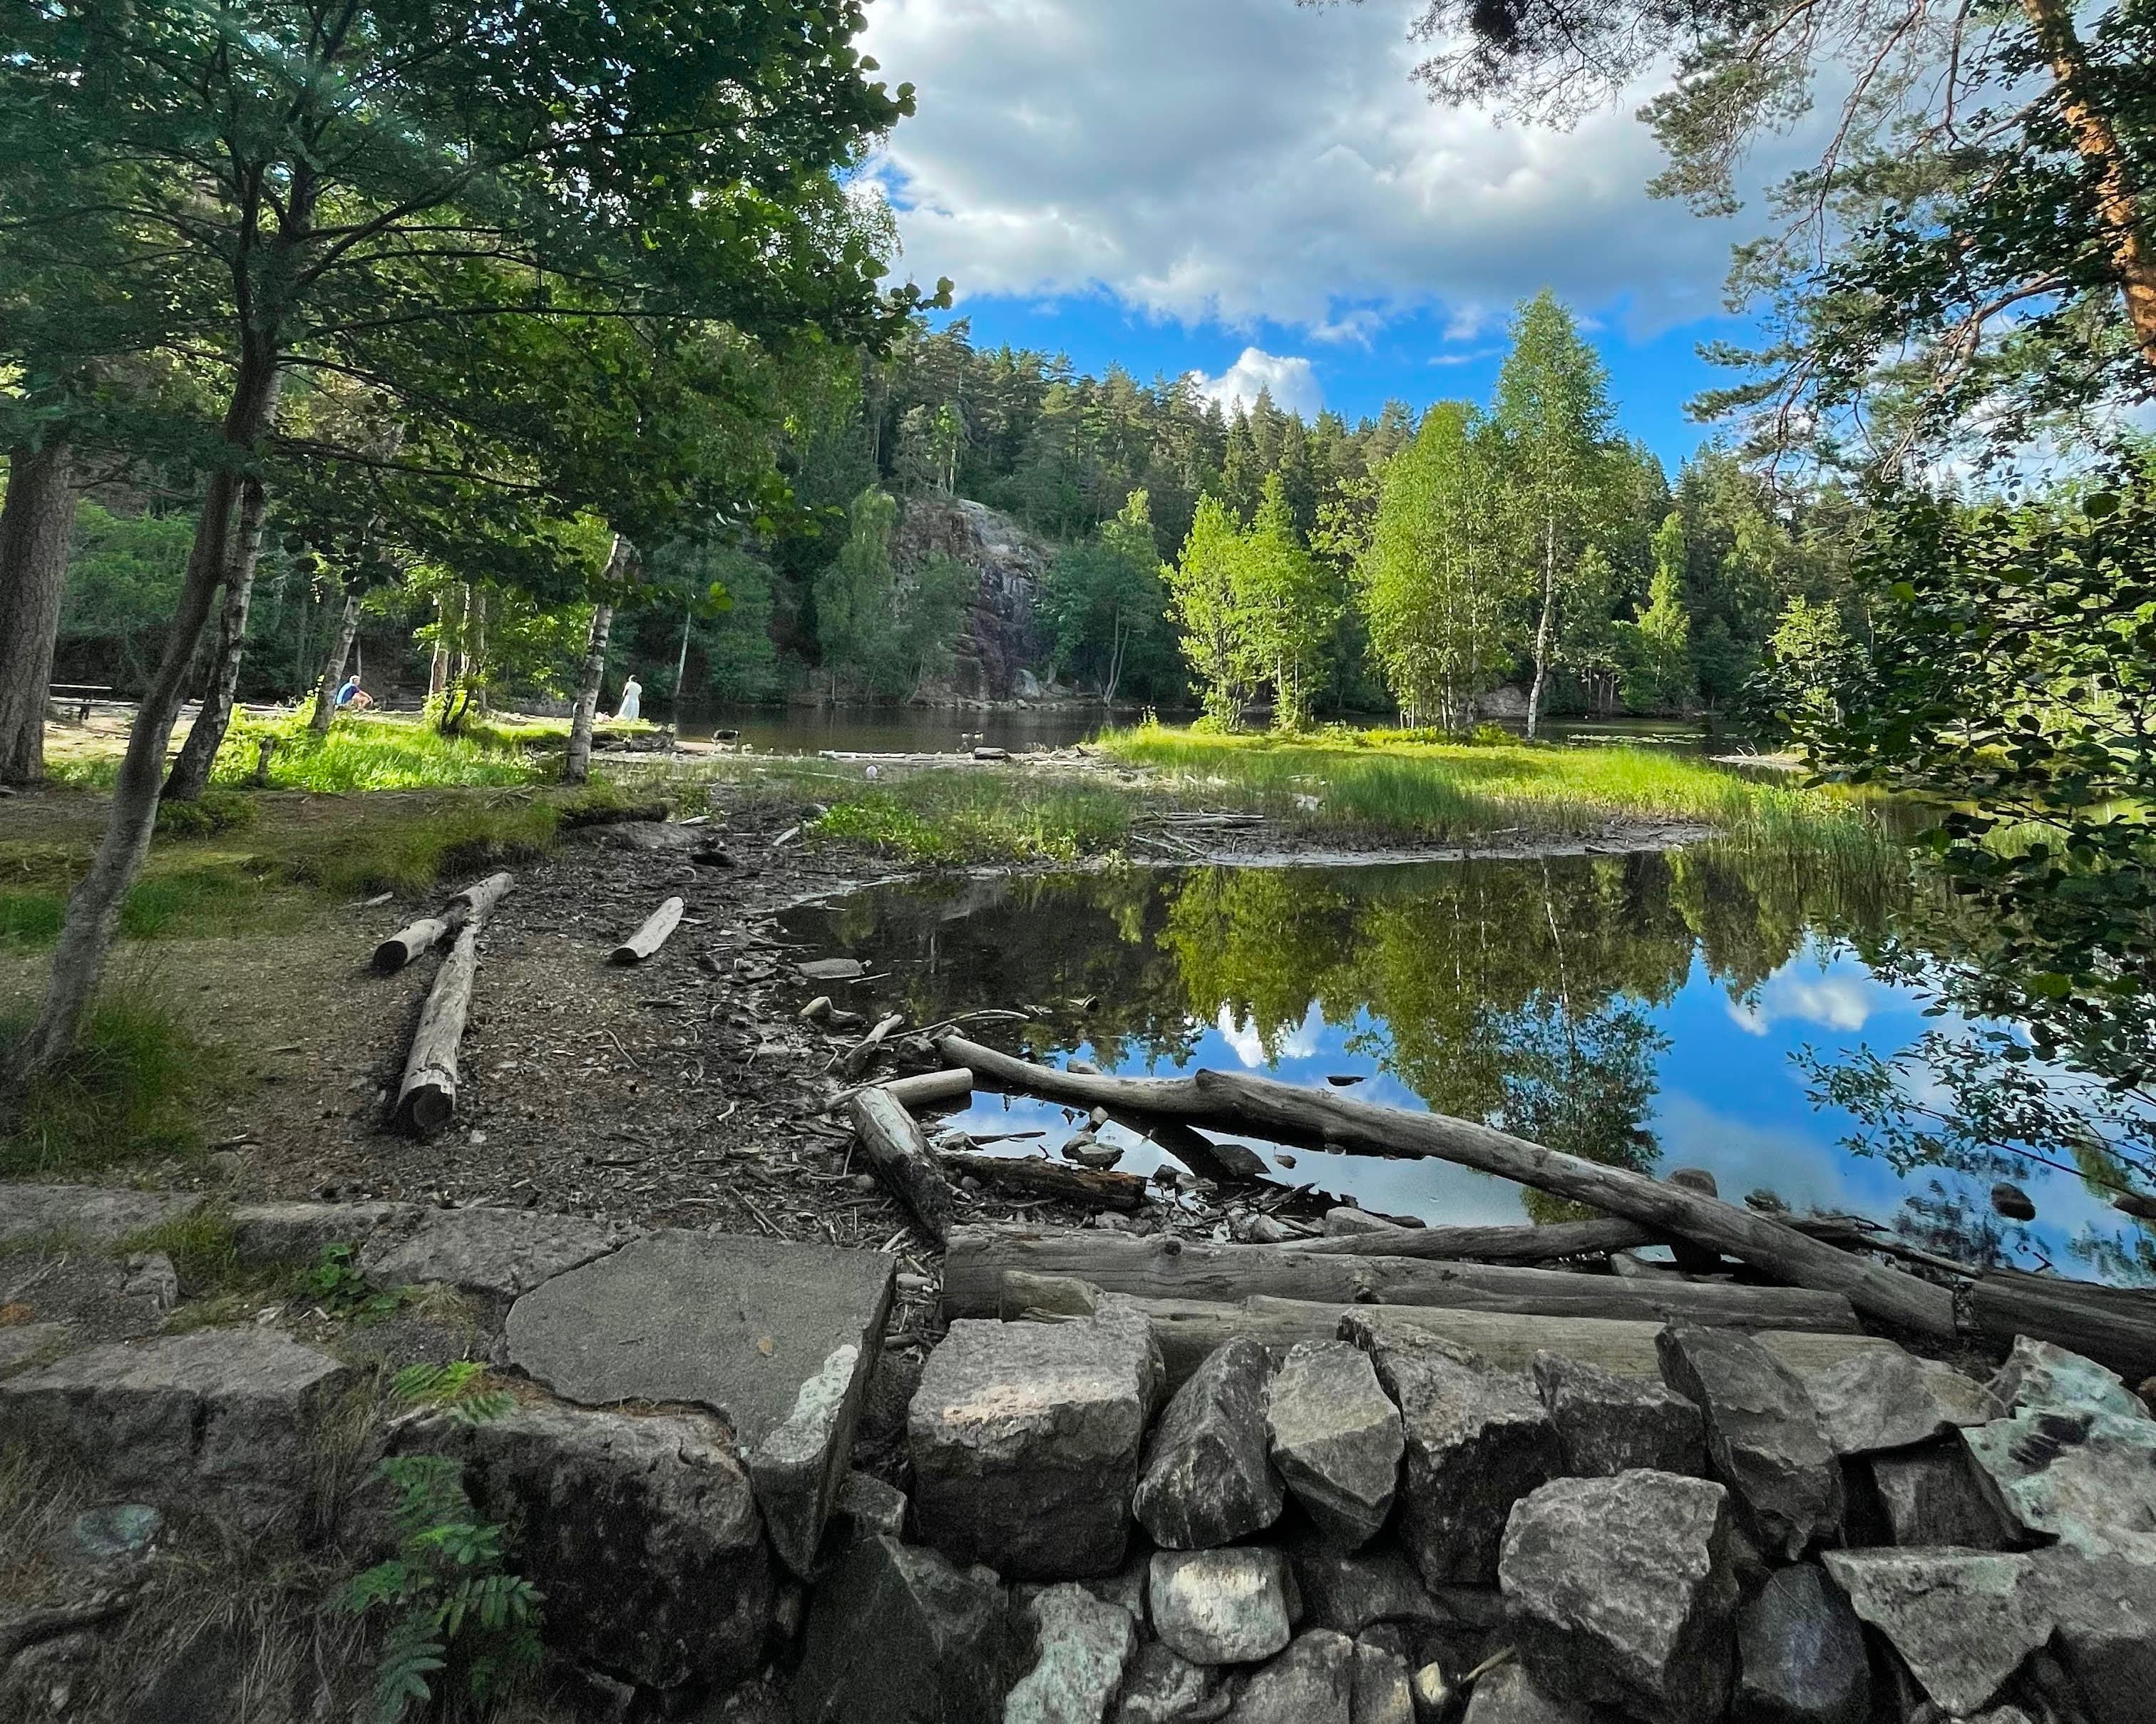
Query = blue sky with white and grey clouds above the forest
x=1260 y=193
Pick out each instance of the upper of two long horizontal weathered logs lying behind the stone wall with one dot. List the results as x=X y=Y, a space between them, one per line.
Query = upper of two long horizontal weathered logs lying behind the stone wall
x=1170 y=1268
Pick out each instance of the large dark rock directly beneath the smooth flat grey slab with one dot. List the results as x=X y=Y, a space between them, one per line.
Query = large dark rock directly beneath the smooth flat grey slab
x=641 y=1531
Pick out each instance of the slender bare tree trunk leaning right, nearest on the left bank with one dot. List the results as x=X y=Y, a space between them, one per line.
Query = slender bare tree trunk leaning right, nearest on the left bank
x=94 y=910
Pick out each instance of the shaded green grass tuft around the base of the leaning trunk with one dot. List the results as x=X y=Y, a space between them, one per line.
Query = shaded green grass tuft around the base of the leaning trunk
x=135 y=1087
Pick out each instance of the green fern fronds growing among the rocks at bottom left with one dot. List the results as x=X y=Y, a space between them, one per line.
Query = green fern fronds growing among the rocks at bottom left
x=450 y=1602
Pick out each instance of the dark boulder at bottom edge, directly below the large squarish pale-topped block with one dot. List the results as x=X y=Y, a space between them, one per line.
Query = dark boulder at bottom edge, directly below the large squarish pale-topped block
x=902 y=1637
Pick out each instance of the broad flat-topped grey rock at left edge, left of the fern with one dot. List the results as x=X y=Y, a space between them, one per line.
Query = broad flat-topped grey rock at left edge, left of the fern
x=212 y=1421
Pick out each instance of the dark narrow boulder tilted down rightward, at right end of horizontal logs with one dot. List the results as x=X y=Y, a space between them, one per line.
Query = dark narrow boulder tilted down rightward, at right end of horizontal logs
x=1765 y=1436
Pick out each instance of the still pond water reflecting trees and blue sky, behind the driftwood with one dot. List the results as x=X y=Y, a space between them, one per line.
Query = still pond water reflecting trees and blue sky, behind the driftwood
x=1631 y=1007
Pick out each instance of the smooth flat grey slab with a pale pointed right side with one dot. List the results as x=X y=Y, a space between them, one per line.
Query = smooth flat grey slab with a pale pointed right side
x=773 y=1337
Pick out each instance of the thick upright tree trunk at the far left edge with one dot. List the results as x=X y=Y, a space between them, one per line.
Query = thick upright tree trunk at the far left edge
x=36 y=523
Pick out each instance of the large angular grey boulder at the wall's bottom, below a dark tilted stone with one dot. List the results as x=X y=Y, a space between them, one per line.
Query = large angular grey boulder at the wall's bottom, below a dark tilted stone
x=1620 y=1591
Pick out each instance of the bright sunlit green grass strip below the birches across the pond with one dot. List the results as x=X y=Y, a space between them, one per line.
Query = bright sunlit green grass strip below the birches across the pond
x=1409 y=785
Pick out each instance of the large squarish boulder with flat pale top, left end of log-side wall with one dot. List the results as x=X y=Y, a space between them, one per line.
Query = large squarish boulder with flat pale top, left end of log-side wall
x=1025 y=1443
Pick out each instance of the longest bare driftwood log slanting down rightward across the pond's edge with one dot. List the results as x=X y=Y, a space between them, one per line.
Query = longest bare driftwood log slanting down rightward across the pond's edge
x=1236 y=1102
